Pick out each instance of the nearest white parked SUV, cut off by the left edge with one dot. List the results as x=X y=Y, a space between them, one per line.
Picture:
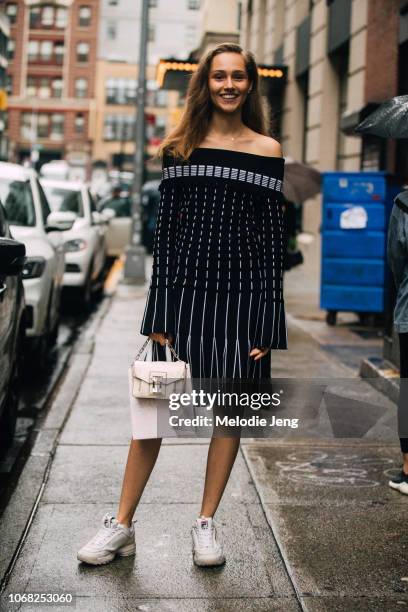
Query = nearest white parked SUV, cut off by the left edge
x=32 y=223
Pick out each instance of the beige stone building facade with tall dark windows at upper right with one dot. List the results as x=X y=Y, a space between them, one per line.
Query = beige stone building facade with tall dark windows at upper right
x=344 y=57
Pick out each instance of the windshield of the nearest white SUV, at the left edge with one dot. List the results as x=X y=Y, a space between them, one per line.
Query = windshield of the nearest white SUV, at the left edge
x=17 y=199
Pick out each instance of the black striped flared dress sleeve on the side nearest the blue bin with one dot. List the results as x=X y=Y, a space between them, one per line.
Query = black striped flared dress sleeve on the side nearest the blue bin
x=270 y=228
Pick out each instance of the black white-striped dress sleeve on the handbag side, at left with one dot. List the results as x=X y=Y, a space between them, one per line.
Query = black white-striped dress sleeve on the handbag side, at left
x=159 y=314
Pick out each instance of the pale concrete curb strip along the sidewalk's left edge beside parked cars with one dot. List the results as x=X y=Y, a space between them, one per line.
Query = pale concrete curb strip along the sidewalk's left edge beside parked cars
x=21 y=509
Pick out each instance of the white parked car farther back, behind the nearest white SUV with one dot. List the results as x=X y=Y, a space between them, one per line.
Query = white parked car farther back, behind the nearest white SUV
x=85 y=242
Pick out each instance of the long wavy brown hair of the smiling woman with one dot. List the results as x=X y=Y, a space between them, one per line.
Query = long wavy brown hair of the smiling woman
x=195 y=120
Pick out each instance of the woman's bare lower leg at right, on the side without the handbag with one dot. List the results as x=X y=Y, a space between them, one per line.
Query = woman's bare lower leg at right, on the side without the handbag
x=221 y=456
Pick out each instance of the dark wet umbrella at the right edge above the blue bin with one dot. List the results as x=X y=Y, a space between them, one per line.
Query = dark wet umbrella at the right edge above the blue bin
x=390 y=120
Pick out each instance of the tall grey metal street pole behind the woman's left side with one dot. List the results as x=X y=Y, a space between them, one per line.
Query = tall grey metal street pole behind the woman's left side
x=134 y=271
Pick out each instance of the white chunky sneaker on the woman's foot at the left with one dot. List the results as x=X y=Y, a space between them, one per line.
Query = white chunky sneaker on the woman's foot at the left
x=111 y=540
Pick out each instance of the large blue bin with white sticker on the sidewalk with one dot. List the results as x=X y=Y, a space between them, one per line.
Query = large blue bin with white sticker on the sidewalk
x=354 y=272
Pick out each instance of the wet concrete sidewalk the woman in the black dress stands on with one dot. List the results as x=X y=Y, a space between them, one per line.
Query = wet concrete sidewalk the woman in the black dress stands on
x=306 y=523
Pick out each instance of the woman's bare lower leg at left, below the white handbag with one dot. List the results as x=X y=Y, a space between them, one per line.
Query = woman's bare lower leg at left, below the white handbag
x=140 y=463
